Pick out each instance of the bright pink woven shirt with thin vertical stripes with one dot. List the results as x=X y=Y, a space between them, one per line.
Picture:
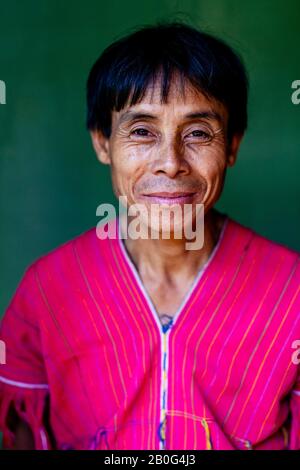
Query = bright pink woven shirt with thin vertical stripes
x=82 y=332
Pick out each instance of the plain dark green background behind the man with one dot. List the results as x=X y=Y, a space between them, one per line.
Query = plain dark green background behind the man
x=50 y=179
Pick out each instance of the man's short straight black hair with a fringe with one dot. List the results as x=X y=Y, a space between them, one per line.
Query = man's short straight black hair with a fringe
x=128 y=66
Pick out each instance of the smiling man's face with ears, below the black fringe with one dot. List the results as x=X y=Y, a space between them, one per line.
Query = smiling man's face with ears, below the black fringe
x=180 y=146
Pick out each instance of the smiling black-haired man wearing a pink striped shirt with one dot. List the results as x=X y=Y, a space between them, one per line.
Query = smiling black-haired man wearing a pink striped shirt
x=140 y=343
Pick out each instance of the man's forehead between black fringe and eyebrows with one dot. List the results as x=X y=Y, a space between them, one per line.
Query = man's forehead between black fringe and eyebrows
x=183 y=100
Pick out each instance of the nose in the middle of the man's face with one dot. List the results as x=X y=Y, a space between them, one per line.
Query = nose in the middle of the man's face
x=170 y=159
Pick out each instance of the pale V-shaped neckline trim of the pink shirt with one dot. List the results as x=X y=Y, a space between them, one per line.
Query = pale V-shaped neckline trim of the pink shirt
x=190 y=291
